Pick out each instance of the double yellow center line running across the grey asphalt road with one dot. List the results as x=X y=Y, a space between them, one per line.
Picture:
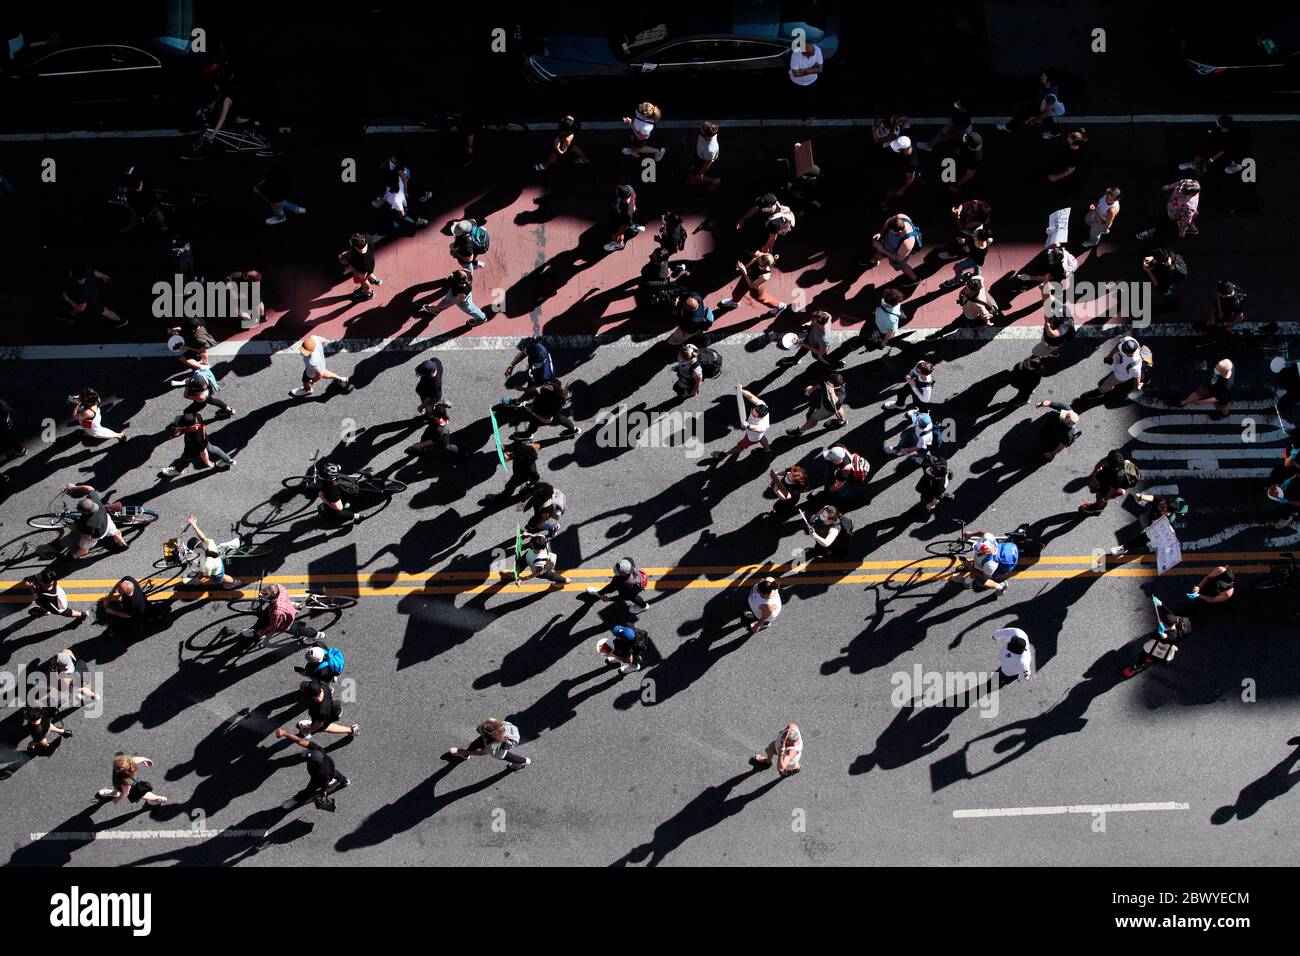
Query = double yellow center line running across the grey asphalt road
x=903 y=572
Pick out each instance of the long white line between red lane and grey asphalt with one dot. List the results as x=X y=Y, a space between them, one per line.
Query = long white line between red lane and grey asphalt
x=148 y=351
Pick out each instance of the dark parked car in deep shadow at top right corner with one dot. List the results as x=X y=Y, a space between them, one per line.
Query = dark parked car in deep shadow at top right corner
x=1256 y=47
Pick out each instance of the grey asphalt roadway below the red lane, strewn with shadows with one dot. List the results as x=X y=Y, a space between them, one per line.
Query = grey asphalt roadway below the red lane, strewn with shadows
x=653 y=767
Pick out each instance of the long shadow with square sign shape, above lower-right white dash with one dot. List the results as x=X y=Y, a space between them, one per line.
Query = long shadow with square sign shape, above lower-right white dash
x=1020 y=738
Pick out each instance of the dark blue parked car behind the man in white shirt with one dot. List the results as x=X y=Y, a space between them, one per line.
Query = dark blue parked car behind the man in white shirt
x=677 y=40
